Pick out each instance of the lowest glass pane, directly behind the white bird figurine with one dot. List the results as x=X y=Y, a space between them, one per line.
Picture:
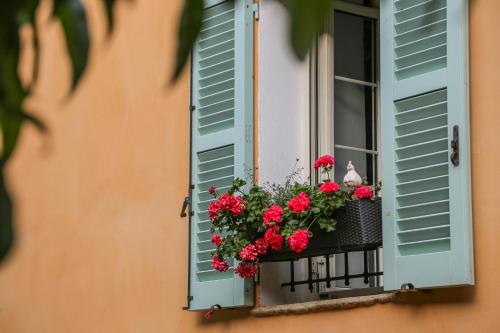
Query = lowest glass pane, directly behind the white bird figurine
x=364 y=164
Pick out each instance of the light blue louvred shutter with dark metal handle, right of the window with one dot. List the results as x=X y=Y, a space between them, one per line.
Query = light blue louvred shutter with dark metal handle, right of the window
x=424 y=90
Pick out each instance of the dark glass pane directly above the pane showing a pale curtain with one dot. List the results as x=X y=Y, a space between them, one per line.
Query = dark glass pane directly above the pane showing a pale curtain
x=354 y=44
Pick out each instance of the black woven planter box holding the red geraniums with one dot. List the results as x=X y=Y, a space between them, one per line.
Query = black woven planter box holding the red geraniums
x=359 y=228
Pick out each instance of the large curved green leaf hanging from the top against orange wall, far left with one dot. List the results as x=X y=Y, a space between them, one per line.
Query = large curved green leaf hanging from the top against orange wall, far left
x=71 y=14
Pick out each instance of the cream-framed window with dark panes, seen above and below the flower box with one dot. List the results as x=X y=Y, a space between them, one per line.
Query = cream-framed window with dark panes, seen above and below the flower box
x=352 y=113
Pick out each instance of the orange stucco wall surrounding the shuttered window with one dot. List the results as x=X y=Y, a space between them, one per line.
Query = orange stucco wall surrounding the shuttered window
x=100 y=245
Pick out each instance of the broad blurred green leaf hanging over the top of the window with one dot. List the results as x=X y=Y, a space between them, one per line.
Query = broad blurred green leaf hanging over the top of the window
x=308 y=20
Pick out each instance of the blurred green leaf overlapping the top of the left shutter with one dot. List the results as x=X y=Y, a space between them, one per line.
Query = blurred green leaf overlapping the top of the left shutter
x=189 y=28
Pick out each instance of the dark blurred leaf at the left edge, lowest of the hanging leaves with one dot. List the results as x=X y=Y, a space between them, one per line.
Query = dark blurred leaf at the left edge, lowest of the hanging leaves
x=6 y=218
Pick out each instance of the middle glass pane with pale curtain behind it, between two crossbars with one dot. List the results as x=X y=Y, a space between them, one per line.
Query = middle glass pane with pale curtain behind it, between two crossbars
x=353 y=123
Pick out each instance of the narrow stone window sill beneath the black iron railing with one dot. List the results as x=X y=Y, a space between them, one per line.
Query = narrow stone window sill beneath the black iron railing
x=325 y=305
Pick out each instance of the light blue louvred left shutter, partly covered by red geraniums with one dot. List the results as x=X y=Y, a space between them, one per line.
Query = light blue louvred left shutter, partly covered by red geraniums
x=222 y=142
